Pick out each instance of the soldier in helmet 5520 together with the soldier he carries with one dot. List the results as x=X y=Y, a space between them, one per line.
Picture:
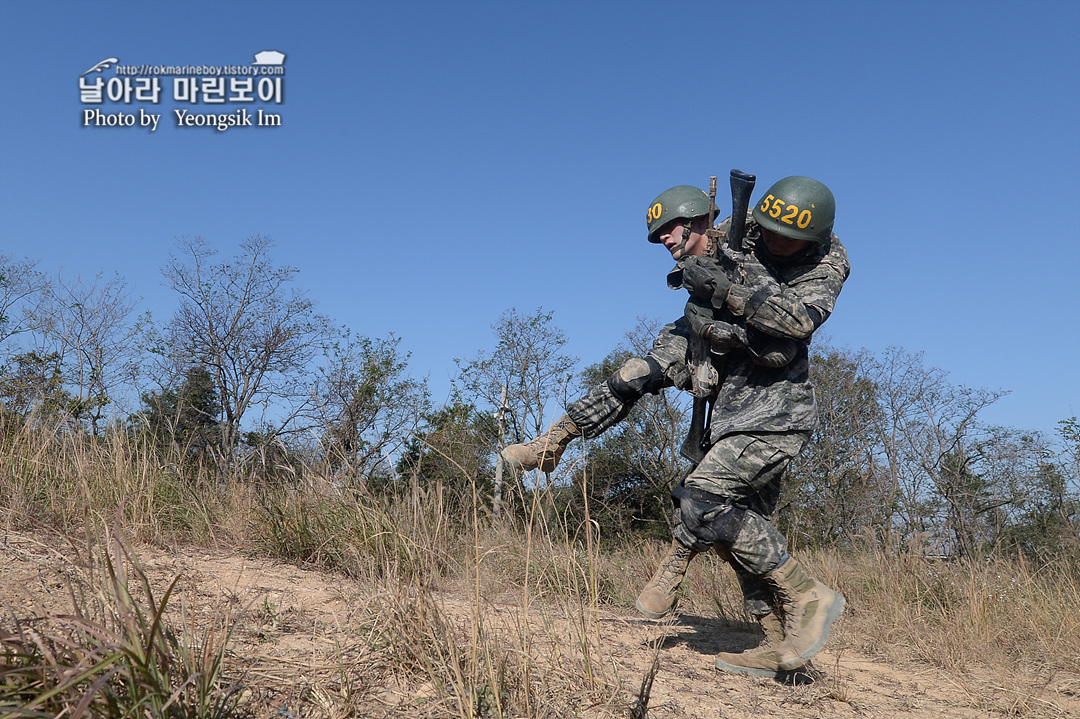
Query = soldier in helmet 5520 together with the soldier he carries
x=754 y=306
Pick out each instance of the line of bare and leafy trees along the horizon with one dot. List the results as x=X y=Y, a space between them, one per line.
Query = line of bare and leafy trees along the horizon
x=247 y=370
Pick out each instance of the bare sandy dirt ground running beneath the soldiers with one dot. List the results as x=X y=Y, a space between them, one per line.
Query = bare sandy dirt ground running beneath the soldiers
x=295 y=633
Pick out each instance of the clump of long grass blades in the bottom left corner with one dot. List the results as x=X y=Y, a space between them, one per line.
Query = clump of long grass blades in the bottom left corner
x=115 y=654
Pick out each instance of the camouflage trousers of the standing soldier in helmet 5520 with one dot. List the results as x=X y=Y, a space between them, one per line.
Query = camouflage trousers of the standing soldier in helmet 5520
x=727 y=503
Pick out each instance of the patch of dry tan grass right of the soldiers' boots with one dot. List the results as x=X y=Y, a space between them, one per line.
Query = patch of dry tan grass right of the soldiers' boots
x=990 y=613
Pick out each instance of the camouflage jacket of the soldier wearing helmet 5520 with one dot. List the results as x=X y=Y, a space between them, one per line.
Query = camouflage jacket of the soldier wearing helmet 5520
x=786 y=300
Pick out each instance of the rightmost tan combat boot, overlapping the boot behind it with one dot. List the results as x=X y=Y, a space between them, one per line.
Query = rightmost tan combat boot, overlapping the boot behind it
x=809 y=611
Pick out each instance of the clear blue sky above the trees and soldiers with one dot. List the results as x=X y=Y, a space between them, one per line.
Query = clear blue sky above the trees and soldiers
x=441 y=162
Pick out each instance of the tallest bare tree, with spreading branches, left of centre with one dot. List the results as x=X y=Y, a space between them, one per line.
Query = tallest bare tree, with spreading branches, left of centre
x=242 y=321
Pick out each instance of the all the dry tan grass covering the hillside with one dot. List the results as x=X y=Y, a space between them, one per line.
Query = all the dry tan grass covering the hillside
x=402 y=654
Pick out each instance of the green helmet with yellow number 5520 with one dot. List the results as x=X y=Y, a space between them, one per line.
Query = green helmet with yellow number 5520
x=798 y=208
